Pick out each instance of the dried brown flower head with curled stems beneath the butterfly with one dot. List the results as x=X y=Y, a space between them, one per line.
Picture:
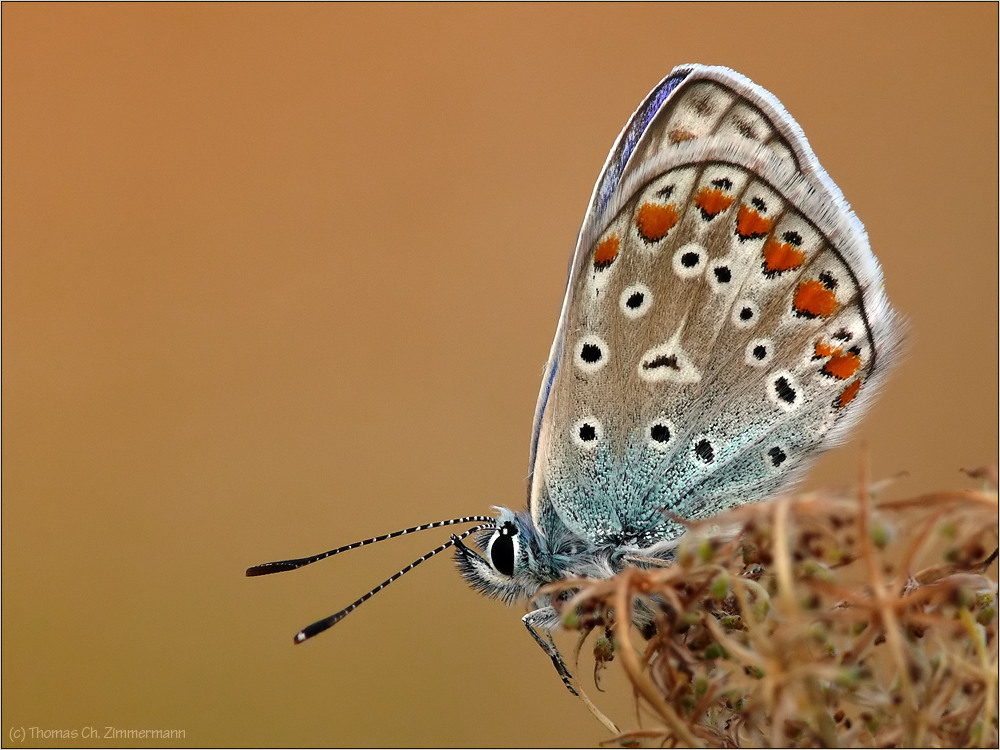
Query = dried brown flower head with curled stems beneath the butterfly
x=819 y=620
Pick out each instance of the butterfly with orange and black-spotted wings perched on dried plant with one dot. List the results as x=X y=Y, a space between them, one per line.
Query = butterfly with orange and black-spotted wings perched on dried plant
x=724 y=322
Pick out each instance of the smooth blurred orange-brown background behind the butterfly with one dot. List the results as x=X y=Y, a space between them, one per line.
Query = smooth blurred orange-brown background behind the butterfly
x=281 y=277
